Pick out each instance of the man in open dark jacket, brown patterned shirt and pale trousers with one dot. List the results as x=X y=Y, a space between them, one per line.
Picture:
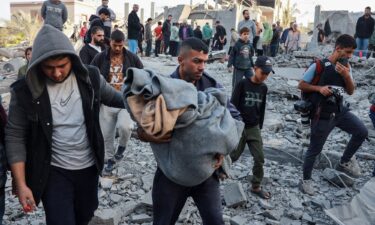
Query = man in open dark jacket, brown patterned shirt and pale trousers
x=113 y=64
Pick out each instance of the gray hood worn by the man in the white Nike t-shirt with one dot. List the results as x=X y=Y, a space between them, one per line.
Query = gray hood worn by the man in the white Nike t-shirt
x=49 y=42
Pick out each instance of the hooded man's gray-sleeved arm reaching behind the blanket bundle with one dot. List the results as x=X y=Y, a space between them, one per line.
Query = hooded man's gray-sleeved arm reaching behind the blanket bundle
x=110 y=96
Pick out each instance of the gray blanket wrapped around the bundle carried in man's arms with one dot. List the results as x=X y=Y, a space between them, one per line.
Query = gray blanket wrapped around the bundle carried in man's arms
x=202 y=132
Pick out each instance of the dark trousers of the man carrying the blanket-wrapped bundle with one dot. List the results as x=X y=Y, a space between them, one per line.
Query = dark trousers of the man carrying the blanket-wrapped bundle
x=169 y=198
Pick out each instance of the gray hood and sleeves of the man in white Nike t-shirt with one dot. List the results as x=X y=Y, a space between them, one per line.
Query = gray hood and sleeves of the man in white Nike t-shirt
x=49 y=42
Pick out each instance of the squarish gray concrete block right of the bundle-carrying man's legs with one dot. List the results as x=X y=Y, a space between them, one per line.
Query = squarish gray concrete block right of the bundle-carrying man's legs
x=234 y=195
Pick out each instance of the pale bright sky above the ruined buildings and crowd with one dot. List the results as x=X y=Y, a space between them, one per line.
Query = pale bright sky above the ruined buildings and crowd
x=306 y=7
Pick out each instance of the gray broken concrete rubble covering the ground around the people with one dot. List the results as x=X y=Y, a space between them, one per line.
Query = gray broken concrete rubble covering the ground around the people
x=125 y=197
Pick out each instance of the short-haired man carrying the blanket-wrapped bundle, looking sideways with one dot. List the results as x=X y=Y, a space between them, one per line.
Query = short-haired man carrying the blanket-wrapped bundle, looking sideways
x=169 y=197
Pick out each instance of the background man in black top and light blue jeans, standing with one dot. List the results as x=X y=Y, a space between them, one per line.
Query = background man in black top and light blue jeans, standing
x=134 y=29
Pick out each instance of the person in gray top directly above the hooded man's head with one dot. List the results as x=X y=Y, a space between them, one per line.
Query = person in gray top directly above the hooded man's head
x=54 y=13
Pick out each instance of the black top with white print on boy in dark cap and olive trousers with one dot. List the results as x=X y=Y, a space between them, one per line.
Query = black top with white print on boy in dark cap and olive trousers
x=250 y=99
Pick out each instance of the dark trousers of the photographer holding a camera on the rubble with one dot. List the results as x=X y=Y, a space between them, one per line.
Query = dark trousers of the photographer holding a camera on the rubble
x=320 y=130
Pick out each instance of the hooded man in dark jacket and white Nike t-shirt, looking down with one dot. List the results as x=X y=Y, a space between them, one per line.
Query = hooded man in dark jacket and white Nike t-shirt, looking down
x=53 y=137
